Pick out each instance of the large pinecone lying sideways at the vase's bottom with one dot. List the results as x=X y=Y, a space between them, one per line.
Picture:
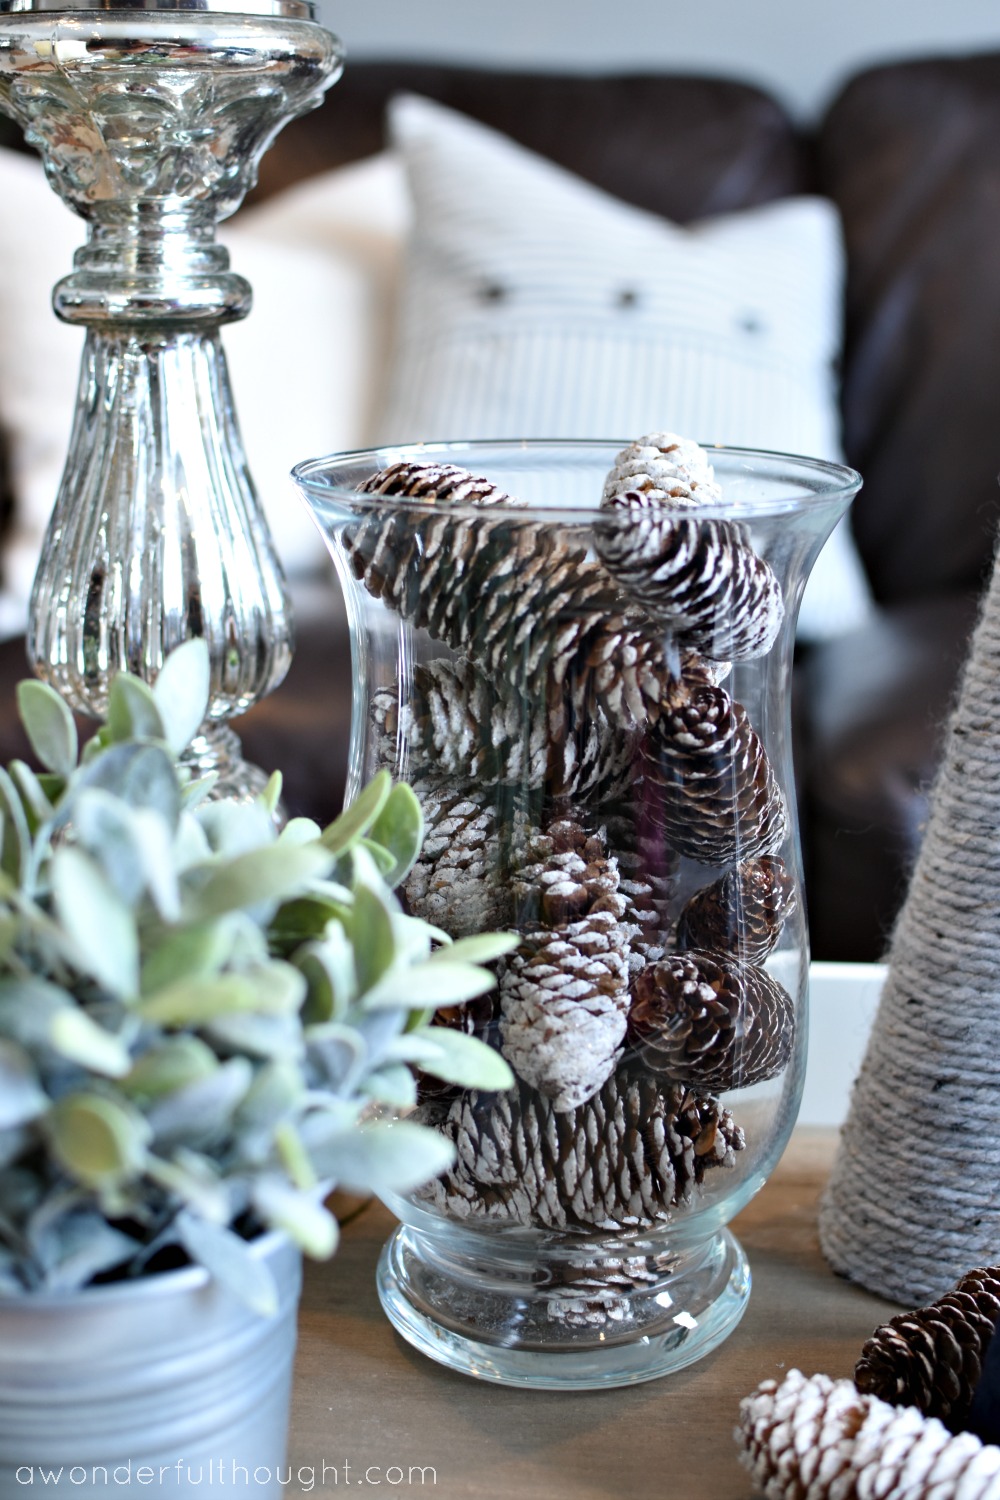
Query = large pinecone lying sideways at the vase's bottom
x=623 y=1160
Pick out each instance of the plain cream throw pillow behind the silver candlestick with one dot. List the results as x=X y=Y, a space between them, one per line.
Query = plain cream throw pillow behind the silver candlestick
x=323 y=262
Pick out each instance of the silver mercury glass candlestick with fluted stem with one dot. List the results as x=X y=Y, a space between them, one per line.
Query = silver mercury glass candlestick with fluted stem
x=152 y=121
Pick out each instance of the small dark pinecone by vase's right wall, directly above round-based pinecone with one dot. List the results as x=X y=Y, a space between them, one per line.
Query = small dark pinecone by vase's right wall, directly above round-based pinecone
x=743 y=914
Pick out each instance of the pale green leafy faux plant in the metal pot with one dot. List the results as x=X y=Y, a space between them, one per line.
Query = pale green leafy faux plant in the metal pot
x=205 y=1022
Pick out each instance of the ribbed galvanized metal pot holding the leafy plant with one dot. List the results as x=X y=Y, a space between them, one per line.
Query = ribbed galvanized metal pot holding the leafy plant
x=160 y=1385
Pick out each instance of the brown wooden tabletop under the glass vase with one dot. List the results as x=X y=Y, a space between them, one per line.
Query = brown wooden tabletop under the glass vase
x=376 y=1412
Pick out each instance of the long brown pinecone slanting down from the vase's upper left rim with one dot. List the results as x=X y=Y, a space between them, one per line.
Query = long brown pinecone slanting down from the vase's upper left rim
x=518 y=598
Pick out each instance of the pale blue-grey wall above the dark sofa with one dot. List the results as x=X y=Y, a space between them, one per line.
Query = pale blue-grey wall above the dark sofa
x=798 y=49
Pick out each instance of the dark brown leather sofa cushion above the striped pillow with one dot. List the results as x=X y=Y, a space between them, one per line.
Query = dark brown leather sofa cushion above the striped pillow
x=684 y=148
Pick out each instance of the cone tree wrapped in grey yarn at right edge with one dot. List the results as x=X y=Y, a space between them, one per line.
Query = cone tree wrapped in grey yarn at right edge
x=915 y=1193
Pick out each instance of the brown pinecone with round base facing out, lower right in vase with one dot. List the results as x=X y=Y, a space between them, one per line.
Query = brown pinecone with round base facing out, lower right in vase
x=711 y=1022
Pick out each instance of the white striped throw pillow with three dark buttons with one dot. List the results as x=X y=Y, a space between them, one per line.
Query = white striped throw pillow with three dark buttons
x=536 y=305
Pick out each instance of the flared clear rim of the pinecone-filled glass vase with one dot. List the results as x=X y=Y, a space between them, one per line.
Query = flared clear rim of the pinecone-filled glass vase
x=824 y=482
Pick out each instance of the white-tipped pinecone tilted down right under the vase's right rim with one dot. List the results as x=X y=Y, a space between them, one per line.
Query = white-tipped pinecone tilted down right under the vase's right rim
x=699 y=578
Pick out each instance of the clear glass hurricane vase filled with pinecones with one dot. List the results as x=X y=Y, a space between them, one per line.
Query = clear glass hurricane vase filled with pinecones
x=582 y=664
